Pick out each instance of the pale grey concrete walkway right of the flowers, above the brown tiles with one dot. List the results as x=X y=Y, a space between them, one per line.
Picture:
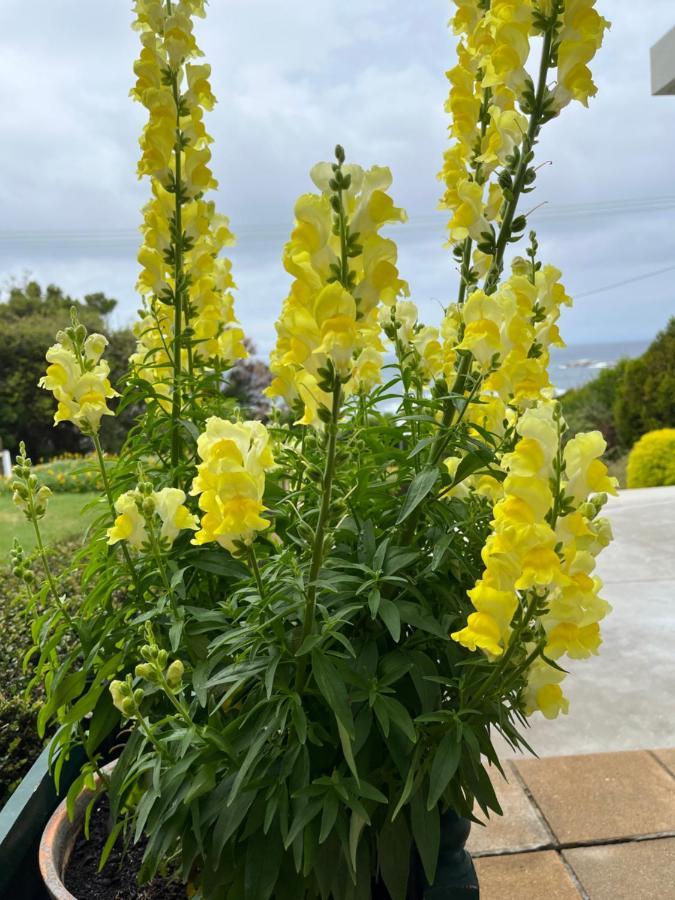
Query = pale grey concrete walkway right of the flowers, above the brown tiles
x=624 y=699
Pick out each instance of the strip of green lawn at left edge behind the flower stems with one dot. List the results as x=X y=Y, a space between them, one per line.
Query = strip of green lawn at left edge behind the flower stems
x=64 y=519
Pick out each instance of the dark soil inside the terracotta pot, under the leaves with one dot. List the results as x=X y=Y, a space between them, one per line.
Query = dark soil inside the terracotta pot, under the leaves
x=117 y=881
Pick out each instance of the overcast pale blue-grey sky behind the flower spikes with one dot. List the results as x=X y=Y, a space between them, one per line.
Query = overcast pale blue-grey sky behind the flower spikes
x=292 y=79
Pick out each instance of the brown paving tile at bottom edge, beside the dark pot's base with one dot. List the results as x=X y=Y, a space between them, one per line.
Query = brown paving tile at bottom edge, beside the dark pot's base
x=525 y=876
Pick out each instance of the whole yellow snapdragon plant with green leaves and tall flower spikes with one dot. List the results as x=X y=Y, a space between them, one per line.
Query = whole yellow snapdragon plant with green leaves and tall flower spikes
x=309 y=630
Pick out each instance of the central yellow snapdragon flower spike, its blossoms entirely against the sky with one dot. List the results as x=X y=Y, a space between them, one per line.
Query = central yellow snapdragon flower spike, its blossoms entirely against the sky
x=331 y=313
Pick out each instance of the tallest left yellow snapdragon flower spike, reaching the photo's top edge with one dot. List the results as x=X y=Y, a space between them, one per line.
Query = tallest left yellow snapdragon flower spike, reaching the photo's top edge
x=184 y=281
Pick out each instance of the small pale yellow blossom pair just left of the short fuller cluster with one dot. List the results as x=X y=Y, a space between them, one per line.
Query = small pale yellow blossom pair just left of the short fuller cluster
x=137 y=511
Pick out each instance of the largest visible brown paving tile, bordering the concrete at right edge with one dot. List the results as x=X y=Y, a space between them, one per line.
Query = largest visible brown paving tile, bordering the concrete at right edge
x=601 y=797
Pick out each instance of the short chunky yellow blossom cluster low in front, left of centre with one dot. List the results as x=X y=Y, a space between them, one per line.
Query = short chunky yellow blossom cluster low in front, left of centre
x=230 y=481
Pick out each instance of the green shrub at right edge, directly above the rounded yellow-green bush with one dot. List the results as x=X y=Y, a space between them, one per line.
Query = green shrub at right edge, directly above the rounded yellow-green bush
x=645 y=398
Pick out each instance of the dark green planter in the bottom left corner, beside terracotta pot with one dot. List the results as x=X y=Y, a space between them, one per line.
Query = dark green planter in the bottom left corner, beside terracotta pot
x=22 y=821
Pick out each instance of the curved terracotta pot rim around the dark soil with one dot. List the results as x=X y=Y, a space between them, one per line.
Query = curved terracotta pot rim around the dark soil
x=58 y=840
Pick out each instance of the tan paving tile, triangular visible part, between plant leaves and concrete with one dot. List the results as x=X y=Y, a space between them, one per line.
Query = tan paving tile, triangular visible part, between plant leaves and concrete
x=520 y=828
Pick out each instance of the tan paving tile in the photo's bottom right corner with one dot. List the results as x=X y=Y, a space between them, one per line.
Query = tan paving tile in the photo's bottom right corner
x=640 y=870
